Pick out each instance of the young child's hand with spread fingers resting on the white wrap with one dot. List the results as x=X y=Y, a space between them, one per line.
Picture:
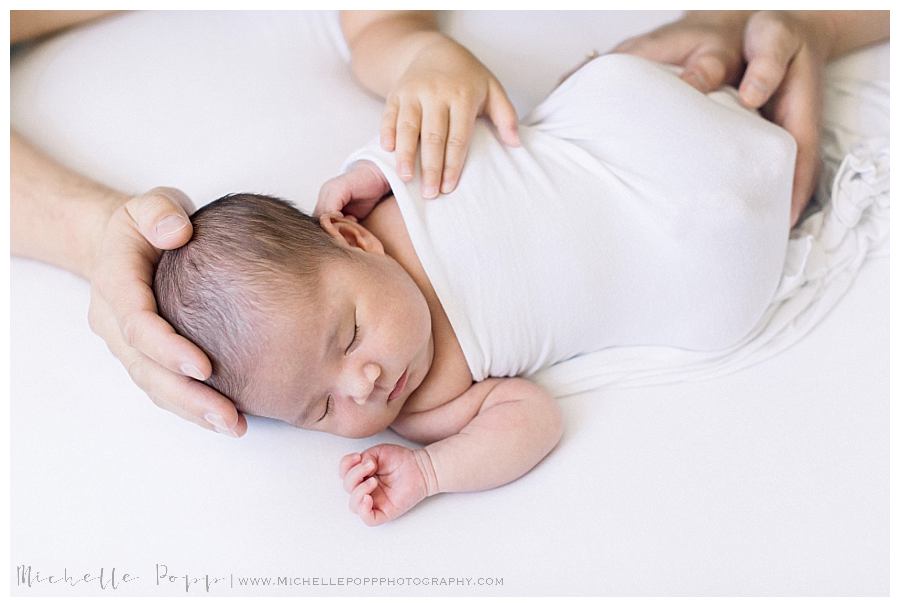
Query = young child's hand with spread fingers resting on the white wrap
x=438 y=99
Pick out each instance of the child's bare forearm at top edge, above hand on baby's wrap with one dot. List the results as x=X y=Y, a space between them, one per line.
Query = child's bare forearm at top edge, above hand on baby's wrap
x=384 y=43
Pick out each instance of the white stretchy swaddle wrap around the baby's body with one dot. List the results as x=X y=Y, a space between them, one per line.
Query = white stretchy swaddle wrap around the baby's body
x=638 y=211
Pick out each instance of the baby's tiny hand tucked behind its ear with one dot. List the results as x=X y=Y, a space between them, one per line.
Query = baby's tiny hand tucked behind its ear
x=355 y=193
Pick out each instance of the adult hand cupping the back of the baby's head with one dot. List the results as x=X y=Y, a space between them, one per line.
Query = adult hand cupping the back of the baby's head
x=123 y=311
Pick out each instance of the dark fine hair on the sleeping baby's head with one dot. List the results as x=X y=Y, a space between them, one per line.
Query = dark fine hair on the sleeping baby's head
x=248 y=254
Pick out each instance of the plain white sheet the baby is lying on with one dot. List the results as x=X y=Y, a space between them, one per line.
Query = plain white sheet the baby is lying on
x=772 y=480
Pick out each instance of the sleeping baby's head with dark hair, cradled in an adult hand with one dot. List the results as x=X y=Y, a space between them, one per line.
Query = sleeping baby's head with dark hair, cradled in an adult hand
x=274 y=298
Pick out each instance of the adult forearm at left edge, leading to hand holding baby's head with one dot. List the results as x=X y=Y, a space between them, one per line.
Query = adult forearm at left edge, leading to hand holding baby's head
x=57 y=216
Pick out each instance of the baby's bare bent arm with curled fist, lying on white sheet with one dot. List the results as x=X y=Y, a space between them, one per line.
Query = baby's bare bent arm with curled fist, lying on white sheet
x=492 y=434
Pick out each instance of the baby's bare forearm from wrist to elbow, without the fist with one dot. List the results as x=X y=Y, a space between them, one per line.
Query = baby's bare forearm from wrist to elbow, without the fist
x=499 y=445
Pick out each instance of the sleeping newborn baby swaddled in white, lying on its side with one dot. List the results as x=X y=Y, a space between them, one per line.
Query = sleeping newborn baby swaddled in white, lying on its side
x=637 y=211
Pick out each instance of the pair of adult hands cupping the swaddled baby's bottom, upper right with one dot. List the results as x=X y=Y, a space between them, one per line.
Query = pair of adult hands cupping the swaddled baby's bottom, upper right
x=784 y=54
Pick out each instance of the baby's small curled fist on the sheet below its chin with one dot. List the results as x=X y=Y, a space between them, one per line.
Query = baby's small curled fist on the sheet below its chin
x=383 y=481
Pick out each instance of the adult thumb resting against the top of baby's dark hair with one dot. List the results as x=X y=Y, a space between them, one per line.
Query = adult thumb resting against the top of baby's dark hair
x=161 y=217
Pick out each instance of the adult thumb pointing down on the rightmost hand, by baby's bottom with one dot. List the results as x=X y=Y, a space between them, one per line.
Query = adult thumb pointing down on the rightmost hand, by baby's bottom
x=769 y=46
